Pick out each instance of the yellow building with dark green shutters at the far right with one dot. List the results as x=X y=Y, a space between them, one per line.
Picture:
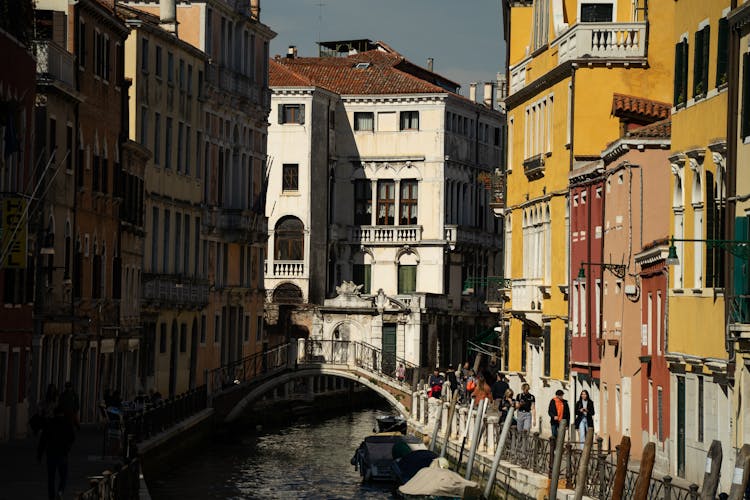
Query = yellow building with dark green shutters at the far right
x=700 y=394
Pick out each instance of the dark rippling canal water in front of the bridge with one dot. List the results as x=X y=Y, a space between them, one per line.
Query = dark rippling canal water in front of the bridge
x=307 y=459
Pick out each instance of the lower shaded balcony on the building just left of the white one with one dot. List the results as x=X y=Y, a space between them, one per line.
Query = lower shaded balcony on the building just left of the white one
x=235 y=225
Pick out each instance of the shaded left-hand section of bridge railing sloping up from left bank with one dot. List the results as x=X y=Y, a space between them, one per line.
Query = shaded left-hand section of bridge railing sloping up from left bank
x=246 y=369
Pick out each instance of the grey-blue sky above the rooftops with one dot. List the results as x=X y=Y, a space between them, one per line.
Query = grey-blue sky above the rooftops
x=466 y=43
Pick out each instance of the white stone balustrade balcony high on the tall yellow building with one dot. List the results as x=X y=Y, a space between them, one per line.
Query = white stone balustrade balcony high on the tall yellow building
x=603 y=41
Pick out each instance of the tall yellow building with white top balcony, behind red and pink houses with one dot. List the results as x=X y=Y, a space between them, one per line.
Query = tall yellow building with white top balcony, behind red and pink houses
x=566 y=60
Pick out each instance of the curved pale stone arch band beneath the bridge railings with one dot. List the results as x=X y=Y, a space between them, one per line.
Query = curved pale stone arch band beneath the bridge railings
x=256 y=393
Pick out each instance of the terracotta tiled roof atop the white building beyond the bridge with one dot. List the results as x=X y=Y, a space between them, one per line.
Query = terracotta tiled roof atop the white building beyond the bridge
x=341 y=74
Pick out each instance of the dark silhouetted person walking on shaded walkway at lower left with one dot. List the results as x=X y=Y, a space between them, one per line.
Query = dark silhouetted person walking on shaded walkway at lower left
x=56 y=440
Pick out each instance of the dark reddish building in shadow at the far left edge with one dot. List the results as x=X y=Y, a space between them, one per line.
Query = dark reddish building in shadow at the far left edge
x=17 y=93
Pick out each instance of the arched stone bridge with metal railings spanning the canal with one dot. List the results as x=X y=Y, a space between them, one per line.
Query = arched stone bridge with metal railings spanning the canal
x=234 y=388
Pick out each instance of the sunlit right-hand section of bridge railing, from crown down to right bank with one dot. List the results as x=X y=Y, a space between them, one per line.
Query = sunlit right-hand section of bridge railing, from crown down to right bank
x=351 y=353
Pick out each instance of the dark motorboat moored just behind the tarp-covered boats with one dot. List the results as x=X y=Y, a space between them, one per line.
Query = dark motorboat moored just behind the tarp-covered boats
x=375 y=455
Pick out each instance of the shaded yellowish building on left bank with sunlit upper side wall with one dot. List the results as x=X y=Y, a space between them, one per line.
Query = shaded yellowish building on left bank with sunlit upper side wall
x=166 y=118
